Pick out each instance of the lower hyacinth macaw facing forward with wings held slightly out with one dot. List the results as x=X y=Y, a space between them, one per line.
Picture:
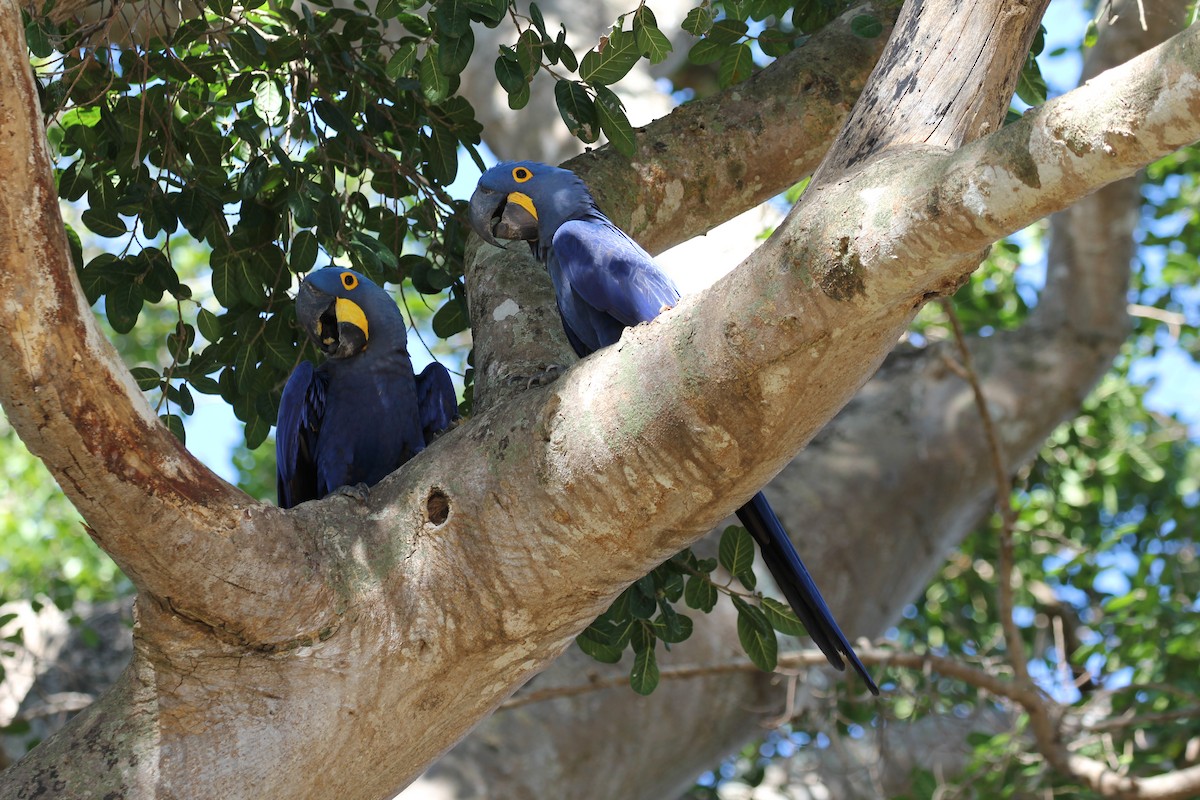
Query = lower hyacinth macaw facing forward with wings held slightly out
x=357 y=418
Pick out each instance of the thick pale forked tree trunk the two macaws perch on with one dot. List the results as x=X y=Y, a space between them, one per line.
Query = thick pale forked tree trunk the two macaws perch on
x=296 y=653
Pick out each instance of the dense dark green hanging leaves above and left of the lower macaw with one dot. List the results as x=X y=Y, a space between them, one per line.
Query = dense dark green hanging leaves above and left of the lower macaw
x=279 y=141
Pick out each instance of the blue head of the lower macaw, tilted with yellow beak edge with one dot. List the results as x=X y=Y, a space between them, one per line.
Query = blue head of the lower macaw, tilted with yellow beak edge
x=341 y=310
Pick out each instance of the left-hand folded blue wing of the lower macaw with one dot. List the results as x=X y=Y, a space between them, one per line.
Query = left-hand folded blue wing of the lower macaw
x=302 y=410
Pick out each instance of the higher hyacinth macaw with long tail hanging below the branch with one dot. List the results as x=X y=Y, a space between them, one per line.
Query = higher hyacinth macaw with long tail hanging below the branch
x=605 y=282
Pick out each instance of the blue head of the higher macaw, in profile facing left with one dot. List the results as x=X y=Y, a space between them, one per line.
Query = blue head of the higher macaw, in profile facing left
x=527 y=201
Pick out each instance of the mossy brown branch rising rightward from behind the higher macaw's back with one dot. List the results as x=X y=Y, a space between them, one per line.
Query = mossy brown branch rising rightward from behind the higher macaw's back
x=711 y=160
